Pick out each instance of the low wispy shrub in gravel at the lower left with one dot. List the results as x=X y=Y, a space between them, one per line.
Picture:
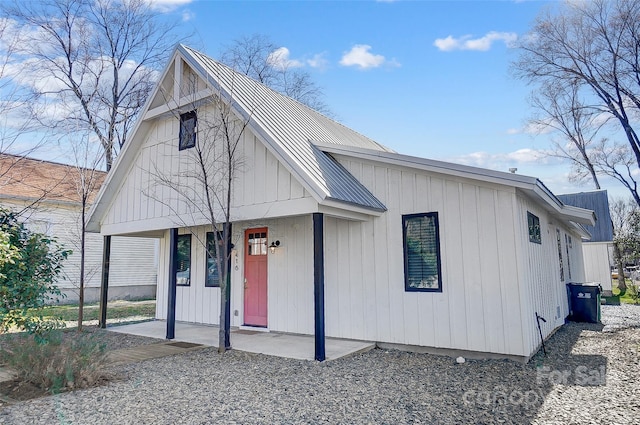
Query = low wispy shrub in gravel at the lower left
x=56 y=360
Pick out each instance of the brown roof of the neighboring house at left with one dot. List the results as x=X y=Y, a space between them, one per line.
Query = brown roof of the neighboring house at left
x=35 y=179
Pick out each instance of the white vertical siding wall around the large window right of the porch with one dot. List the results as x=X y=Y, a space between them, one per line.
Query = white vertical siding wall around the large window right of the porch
x=479 y=307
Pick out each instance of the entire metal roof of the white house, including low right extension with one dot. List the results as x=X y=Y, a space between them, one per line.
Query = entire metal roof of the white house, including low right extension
x=302 y=140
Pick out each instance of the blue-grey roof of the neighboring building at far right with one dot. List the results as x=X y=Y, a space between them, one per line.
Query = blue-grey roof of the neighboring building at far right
x=598 y=201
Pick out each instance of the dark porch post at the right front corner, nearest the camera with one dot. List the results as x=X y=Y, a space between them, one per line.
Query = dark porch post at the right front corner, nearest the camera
x=318 y=284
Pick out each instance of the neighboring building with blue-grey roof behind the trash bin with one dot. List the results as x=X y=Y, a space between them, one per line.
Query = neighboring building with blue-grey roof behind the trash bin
x=598 y=250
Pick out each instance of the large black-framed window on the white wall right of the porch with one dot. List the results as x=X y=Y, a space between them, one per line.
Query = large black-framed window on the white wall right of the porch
x=421 y=240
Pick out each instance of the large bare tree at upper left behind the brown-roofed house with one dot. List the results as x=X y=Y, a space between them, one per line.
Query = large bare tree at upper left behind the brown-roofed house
x=92 y=63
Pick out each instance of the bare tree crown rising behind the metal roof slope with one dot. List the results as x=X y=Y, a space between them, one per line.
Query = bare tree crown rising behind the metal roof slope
x=261 y=59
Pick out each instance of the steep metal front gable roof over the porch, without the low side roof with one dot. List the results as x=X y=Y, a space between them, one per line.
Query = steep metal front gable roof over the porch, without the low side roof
x=284 y=125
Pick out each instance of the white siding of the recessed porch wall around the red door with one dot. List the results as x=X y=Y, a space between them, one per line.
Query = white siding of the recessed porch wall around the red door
x=290 y=277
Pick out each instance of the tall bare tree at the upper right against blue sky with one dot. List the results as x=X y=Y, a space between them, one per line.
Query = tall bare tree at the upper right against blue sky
x=594 y=45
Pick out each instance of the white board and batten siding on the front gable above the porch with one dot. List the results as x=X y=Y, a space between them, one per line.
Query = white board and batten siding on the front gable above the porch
x=263 y=187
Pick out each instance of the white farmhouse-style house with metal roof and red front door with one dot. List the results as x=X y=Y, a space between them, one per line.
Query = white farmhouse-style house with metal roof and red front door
x=367 y=244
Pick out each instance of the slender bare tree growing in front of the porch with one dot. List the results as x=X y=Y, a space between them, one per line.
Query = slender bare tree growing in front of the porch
x=203 y=182
